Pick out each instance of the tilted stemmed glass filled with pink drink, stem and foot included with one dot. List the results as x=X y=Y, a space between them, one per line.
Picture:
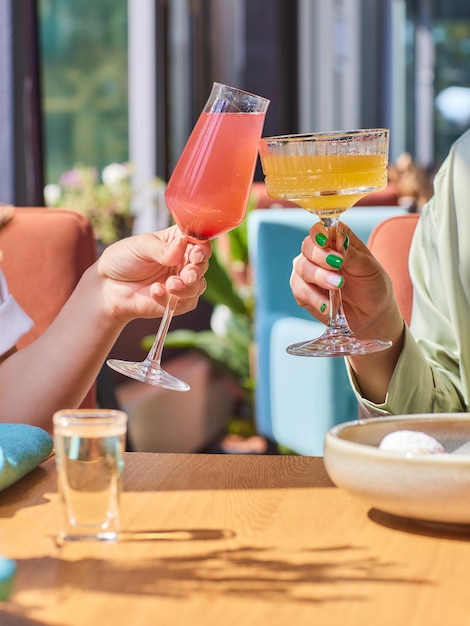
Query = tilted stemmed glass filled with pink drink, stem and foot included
x=207 y=195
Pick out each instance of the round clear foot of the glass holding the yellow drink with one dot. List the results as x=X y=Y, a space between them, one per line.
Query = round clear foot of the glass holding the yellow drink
x=337 y=343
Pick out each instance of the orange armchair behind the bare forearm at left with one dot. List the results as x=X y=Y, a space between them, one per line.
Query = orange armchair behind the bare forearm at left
x=44 y=253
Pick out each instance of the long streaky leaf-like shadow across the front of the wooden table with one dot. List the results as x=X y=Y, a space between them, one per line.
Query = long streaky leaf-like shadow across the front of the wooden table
x=305 y=575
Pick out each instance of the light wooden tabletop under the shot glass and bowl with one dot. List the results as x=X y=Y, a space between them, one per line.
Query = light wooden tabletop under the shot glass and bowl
x=232 y=540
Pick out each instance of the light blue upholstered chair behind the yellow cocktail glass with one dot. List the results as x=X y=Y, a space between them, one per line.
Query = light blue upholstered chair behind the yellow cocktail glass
x=297 y=399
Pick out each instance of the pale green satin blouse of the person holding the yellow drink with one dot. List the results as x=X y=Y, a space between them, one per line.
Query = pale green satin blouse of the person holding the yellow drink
x=433 y=372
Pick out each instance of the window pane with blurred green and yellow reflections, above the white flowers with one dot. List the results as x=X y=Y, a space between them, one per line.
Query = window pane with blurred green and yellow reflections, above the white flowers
x=84 y=83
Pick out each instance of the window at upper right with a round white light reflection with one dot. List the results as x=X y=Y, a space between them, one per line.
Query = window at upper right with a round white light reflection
x=442 y=74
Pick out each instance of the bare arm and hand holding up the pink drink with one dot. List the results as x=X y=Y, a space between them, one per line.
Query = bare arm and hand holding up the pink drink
x=130 y=280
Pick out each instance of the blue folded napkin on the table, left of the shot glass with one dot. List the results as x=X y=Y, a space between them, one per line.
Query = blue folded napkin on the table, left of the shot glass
x=22 y=448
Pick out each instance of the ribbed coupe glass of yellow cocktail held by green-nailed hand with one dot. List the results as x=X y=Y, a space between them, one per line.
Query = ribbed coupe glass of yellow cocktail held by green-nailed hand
x=326 y=174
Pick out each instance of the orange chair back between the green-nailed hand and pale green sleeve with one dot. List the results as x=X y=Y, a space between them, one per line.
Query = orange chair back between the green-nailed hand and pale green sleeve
x=390 y=243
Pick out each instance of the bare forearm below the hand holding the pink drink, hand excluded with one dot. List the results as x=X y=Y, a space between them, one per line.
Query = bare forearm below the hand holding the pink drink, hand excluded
x=57 y=370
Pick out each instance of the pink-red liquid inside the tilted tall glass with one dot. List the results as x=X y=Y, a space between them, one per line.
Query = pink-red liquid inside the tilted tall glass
x=209 y=189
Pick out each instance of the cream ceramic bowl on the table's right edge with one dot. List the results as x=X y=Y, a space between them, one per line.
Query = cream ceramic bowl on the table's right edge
x=432 y=487
